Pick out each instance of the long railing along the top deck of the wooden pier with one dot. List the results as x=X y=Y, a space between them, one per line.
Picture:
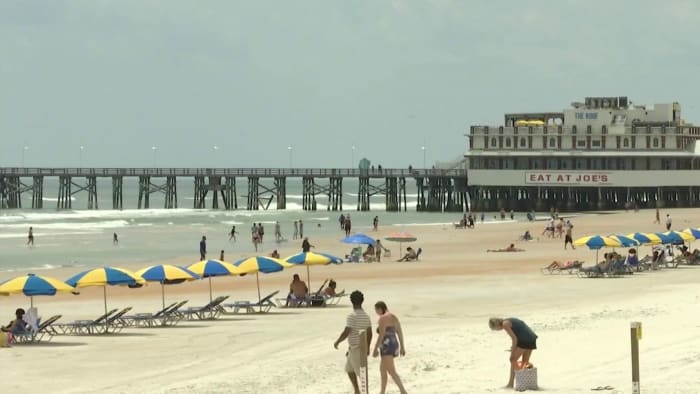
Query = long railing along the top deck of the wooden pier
x=234 y=172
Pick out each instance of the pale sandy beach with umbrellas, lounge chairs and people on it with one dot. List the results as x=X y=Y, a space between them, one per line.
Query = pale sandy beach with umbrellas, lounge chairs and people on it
x=444 y=302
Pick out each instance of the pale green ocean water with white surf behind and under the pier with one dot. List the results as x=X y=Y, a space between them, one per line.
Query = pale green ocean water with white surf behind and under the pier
x=83 y=238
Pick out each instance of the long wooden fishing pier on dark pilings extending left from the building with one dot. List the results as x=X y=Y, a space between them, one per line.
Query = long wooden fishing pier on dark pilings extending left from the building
x=437 y=189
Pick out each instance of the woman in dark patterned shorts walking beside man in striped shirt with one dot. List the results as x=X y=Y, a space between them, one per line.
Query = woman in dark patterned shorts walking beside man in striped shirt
x=389 y=344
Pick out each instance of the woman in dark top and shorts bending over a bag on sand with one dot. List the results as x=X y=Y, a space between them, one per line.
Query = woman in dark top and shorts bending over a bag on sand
x=524 y=341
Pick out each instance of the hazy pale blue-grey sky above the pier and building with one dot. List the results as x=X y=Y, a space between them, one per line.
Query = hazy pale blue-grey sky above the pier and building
x=237 y=83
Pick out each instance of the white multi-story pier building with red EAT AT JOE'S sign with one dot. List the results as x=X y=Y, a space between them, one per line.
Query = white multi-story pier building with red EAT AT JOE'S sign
x=604 y=153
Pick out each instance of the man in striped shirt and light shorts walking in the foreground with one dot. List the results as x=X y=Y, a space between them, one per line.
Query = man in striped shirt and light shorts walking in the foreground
x=356 y=322
